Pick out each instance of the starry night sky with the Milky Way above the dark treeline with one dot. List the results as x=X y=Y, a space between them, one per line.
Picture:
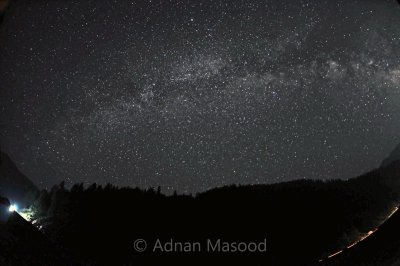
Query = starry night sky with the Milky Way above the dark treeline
x=191 y=95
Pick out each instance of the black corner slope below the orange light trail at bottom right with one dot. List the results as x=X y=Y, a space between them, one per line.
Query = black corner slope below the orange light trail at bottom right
x=380 y=249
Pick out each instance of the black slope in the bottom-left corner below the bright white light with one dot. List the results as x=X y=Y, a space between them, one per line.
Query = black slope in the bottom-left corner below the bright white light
x=23 y=244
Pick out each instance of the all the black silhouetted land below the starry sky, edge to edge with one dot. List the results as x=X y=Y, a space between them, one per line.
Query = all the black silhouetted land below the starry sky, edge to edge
x=293 y=223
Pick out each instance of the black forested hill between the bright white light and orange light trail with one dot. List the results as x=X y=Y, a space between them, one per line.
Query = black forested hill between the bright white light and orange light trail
x=302 y=221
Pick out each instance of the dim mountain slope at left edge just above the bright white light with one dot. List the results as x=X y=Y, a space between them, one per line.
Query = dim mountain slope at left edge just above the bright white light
x=13 y=184
